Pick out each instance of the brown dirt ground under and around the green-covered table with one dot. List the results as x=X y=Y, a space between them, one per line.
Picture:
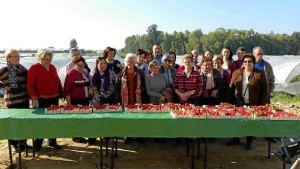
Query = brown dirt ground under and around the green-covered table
x=168 y=154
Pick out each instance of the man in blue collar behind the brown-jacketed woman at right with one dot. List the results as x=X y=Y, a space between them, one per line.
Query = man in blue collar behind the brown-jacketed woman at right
x=266 y=67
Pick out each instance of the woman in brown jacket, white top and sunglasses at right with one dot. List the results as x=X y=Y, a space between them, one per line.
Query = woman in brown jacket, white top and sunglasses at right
x=248 y=86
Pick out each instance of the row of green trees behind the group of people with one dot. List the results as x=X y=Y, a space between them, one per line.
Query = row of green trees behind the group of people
x=185 y=42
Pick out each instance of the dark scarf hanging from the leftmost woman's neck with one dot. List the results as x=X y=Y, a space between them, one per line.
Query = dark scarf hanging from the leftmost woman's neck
x=13 y=70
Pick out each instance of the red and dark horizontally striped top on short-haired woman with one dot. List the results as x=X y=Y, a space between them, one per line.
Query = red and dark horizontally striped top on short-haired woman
x=185 y=84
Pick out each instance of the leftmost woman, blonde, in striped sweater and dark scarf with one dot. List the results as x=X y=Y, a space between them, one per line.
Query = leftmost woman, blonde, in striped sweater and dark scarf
x=13 y=79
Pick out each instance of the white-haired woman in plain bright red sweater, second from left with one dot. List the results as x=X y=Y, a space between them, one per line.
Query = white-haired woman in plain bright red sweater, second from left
x=43 y=86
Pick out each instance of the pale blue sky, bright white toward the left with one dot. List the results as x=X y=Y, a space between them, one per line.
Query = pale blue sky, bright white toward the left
x=96 y=24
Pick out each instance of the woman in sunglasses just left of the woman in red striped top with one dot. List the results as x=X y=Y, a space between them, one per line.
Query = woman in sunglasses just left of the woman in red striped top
x=167 y=69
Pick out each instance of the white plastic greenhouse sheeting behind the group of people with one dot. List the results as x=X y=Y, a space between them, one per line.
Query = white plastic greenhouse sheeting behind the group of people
x=285 y=68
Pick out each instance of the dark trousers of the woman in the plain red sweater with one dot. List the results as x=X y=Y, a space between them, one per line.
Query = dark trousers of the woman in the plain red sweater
x=45 y=103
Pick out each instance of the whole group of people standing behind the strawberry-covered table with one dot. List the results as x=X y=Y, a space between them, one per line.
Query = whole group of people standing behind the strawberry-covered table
x=146 y=77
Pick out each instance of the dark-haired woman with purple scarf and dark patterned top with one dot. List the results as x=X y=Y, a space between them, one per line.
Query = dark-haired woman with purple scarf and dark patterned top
x=103 y=82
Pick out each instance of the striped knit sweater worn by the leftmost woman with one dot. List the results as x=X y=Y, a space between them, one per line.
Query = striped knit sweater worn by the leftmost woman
x=13 y=100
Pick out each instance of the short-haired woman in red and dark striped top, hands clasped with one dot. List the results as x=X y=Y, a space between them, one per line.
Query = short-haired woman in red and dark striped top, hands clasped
x=188 y=84
